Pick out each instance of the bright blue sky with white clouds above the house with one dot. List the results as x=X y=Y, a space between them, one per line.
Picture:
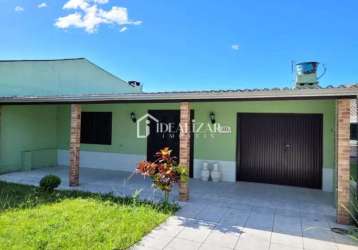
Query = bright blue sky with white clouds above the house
x=186 y=44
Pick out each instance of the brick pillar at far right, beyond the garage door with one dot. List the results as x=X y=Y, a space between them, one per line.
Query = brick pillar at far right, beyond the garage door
x=343 y=158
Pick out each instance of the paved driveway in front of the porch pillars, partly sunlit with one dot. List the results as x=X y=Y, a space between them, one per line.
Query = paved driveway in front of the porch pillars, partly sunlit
x=239 y=226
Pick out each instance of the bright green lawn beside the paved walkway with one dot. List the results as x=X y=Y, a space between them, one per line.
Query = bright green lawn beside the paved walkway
x=31 y=219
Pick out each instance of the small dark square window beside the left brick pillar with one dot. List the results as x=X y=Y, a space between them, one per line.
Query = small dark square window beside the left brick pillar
x=96 y=128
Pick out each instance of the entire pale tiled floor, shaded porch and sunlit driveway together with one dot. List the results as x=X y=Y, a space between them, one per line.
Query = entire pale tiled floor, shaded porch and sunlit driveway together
x=222 y=215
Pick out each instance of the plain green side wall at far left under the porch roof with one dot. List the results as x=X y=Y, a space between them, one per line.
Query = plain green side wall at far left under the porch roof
x=27 y=137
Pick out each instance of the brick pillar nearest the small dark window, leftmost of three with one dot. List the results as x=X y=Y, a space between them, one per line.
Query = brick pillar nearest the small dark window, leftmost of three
x=74 y=173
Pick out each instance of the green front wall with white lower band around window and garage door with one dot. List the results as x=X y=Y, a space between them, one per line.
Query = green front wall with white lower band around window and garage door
x=126 y=149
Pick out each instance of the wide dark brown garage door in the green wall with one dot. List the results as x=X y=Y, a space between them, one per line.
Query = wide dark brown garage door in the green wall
x=280 y=149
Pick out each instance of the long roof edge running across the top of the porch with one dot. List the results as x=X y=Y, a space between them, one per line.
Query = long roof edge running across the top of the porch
x=191 y=96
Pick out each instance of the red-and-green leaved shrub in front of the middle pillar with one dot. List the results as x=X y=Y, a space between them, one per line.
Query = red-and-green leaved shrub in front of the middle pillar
x=164 y=171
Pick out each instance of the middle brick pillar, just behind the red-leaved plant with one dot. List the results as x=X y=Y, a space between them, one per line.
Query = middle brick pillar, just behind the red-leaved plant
x=184 y=146
